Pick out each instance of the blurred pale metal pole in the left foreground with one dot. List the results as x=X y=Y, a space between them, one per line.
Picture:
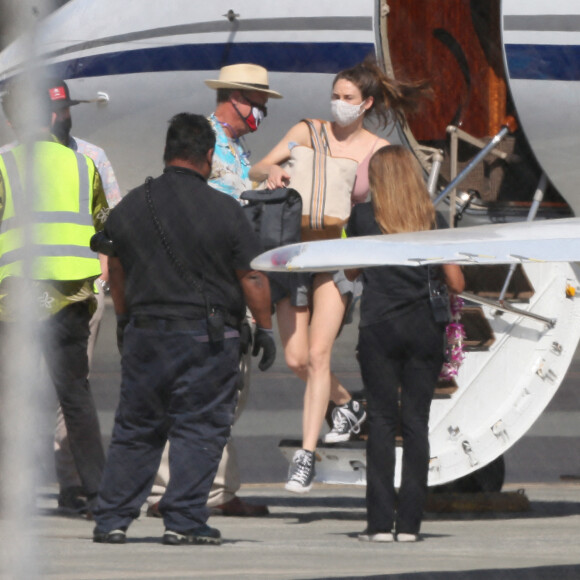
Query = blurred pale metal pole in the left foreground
x=22 y=389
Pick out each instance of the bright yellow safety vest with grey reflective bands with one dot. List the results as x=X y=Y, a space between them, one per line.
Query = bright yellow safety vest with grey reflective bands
x=58 y=218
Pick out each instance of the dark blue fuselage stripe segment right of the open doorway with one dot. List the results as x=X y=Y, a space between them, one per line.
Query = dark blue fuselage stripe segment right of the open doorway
x=543 y=62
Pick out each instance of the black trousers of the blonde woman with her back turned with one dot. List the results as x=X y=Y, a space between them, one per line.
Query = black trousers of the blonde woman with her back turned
x=406 y=351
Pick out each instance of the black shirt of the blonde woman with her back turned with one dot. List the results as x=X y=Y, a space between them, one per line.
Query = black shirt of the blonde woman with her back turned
x=388 y=290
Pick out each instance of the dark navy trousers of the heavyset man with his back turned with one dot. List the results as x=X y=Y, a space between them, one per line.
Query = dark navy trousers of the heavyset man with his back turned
x=175 y=386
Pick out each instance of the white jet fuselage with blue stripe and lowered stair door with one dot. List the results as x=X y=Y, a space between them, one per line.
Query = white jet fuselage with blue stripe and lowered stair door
x=151 y=60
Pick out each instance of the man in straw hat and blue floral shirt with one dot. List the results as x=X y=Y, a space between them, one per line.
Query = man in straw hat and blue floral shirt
x=242 y=93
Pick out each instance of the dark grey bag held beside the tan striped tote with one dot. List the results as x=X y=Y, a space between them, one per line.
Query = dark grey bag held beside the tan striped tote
x=275 y=215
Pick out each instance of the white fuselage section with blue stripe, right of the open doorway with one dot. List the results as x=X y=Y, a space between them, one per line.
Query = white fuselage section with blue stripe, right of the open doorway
x=542 y=54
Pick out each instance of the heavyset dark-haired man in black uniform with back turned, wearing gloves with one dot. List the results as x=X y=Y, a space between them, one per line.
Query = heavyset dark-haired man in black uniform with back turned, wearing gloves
x=180 y=279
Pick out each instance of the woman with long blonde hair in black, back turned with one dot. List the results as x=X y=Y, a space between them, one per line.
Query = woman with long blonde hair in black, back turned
x=401 y=346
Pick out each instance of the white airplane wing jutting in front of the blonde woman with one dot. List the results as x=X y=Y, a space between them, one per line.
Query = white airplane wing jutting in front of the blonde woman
x=541 y=241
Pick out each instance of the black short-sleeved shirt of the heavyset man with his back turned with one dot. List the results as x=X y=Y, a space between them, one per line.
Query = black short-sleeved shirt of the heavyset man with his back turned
x=208 y=233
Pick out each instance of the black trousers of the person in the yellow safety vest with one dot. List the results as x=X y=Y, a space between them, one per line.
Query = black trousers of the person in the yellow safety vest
x=64 y=338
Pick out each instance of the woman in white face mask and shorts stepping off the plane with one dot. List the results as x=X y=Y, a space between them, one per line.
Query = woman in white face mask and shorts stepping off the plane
x=310 y=310
